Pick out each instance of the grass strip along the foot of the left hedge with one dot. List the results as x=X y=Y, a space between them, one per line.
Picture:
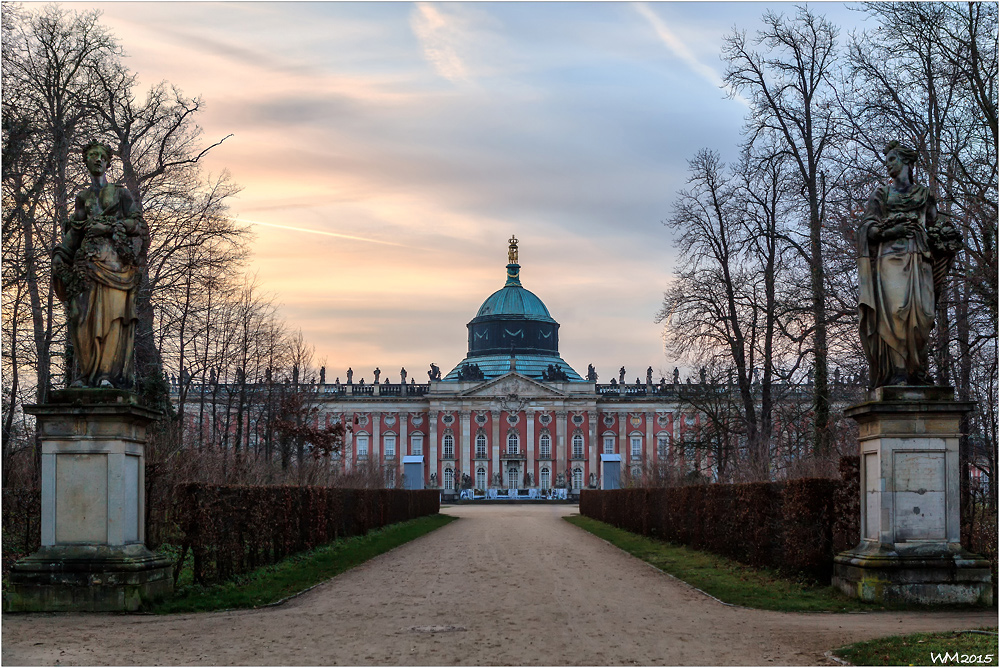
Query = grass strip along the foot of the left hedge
x=296 y=573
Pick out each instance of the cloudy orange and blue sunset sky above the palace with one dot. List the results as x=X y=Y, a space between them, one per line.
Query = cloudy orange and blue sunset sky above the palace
x=387 y=151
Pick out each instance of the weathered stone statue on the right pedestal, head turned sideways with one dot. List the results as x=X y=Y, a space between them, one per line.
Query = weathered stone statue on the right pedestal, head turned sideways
x=904 y=254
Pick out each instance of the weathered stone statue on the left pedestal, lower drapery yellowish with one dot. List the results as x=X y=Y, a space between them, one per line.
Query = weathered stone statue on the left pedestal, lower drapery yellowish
x=95 y=273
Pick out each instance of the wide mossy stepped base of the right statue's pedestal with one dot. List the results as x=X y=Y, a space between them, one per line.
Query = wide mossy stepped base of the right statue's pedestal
x=912 y=573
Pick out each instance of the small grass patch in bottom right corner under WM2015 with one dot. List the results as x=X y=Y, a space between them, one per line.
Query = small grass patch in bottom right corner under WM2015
x=959 y=648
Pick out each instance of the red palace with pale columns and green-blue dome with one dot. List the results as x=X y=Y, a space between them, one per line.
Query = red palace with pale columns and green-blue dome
x=511 y=415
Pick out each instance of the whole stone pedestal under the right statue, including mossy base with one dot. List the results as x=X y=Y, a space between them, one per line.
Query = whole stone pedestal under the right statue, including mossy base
x=910 y=547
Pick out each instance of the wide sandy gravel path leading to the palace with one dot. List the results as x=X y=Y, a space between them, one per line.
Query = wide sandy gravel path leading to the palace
x=523 y=586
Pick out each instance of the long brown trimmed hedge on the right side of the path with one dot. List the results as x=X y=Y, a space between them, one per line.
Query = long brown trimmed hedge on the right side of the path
x=795 y=526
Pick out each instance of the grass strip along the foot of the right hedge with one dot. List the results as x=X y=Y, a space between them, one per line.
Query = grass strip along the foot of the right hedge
x=728 y=580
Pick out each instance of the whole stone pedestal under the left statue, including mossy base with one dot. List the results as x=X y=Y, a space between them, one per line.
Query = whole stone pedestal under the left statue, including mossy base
x=93 y=555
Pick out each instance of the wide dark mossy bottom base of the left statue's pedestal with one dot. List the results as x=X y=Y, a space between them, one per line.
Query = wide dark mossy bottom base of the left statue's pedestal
x=87 y=578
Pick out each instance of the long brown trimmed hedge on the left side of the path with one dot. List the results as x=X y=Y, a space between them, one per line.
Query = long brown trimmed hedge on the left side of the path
x=231 y=530
